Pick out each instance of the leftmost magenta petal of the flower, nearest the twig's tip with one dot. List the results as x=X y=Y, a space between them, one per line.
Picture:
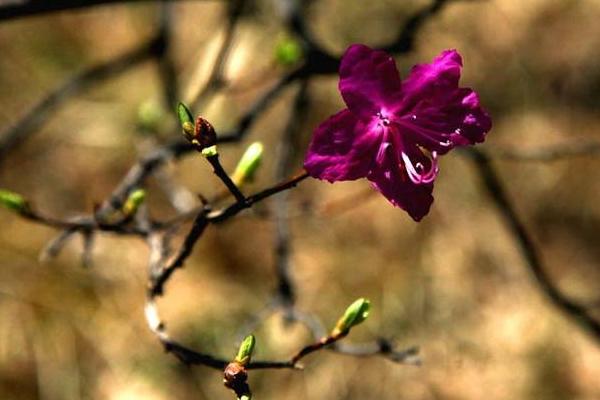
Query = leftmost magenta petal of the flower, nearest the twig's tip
x=342 y=148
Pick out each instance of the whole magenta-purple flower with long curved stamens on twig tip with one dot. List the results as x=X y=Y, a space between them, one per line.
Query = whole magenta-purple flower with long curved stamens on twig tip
x=393 y=131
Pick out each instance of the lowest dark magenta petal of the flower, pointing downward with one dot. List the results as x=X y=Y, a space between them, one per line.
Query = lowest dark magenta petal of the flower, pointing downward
x=391 y=180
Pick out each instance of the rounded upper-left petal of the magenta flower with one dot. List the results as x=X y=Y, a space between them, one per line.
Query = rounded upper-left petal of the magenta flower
x=369 y=81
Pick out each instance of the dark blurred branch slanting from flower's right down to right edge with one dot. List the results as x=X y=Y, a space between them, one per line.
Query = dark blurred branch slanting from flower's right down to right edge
x=497 y=192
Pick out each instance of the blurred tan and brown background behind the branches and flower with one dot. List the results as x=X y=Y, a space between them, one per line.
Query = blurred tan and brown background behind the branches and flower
x=455 y=284
